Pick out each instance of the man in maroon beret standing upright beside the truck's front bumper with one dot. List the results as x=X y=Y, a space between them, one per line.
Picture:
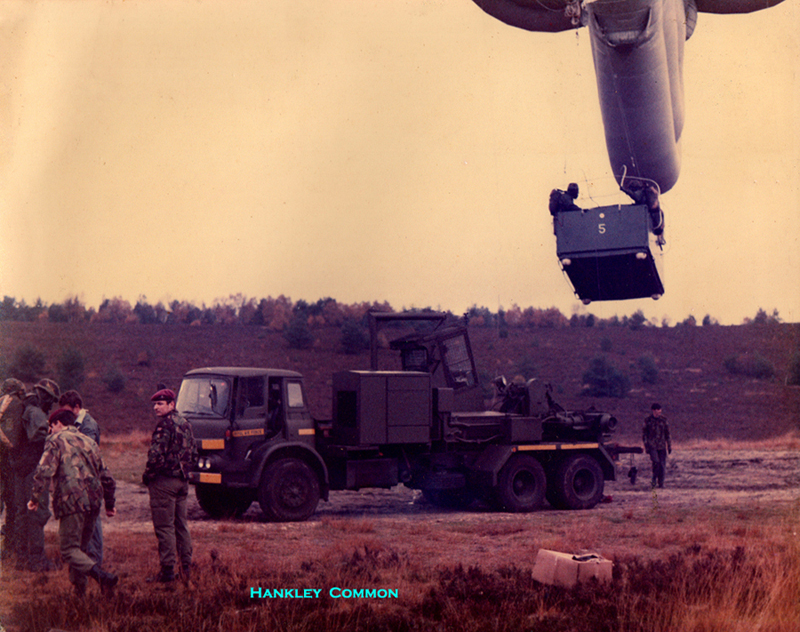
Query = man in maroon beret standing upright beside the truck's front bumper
x=172 y=455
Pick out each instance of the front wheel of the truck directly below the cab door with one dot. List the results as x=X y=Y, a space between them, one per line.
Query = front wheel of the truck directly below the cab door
x=289 y=491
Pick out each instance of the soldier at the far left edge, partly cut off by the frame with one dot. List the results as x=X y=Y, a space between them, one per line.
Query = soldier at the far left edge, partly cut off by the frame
x=11 y=409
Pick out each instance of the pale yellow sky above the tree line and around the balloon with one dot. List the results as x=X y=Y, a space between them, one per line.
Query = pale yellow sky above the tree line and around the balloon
x=367 y=150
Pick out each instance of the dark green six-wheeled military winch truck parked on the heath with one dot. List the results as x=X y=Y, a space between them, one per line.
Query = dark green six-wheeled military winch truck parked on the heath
x=421 y=423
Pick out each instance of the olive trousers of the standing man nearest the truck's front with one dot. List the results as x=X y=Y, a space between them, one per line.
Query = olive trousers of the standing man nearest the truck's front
x=168 y=505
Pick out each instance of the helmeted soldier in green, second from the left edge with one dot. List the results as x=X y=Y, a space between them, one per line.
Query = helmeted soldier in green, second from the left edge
x=29 y=525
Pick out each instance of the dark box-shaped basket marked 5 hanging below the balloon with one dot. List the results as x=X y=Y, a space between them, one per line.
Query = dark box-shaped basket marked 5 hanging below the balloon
x=609 y=253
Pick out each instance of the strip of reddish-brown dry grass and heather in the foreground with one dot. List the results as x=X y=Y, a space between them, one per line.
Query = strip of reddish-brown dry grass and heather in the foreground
x=723 y=569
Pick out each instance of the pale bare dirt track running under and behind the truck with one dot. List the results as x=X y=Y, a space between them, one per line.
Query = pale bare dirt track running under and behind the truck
x=696 y=479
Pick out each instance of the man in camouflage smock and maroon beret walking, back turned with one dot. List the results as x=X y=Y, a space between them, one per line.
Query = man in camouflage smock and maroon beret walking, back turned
x=71 y=462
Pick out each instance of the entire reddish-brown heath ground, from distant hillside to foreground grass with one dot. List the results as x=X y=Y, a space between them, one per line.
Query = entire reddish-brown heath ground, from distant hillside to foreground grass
x=720 y=554
